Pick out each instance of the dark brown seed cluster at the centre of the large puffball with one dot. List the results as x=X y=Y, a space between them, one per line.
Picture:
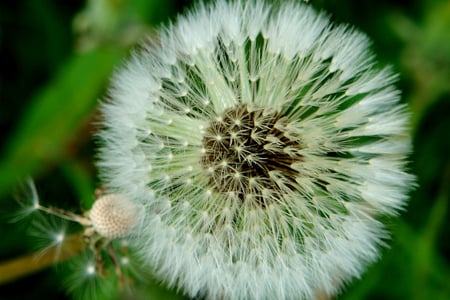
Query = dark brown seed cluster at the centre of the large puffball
x=248 y=154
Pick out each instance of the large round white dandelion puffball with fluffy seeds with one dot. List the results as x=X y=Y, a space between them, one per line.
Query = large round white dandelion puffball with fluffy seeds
x=264 y=146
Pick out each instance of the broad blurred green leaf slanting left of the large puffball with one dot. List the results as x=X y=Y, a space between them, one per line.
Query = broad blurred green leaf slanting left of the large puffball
x=56 y=115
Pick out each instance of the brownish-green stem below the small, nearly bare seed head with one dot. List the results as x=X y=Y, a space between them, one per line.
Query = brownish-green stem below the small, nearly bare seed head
x=31 y=263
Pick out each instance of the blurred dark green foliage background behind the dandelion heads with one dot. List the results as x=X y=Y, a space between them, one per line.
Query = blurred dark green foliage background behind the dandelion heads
x=57 y=56
